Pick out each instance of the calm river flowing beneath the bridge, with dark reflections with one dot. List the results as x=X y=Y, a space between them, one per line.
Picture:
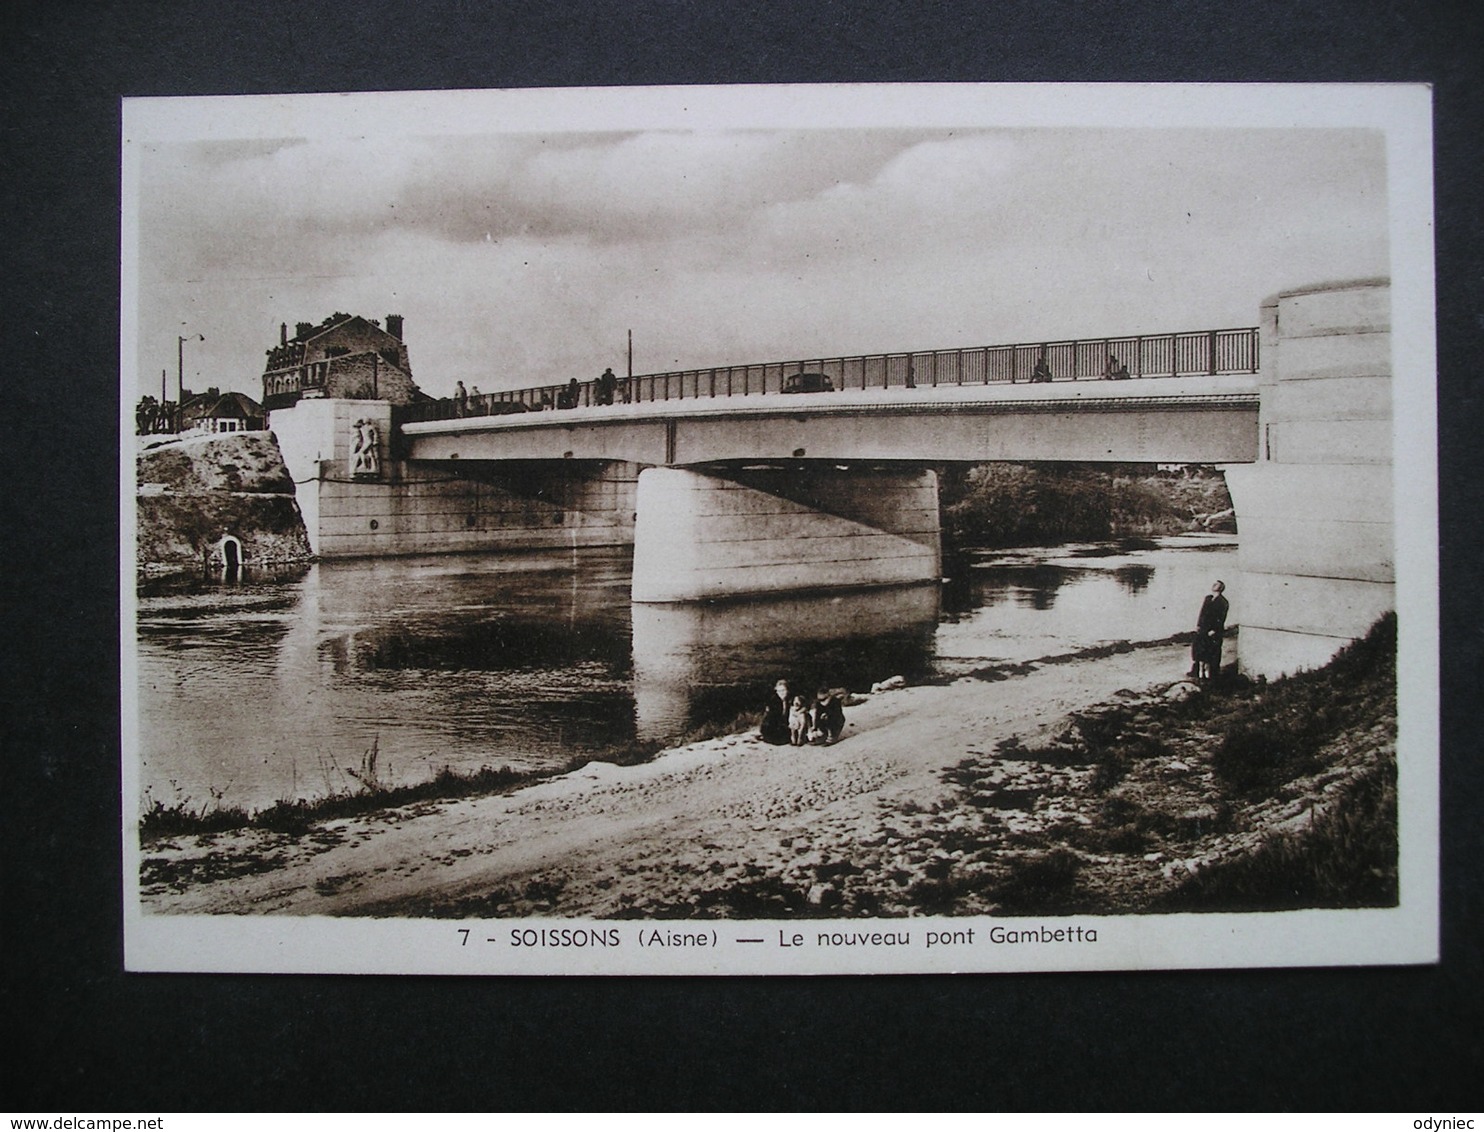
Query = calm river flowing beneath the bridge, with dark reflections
x=257 y=691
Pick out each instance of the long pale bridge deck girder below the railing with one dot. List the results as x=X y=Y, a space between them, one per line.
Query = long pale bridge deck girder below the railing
x=1143 y=421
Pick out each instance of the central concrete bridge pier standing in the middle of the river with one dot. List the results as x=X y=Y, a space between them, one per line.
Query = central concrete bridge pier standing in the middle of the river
x=719 y=535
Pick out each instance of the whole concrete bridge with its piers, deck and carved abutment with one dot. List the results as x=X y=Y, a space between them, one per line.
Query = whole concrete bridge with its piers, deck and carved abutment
x=772 y=493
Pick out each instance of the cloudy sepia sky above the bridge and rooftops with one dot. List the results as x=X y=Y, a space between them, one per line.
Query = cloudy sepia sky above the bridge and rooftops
x=525 y=259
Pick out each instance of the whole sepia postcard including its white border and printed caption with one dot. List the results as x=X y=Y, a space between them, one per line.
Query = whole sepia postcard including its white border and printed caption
x=780 y=530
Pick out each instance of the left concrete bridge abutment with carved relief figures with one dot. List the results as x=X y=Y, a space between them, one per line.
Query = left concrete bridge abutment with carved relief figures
x=358 y=508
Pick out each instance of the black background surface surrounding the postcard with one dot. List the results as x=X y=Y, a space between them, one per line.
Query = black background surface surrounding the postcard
x=85 y=1036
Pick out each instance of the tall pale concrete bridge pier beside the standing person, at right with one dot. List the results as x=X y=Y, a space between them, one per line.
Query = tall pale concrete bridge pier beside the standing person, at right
x=1316 y=511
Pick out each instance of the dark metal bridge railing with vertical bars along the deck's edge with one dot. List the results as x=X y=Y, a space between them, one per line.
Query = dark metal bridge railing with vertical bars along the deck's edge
x=1188 y=354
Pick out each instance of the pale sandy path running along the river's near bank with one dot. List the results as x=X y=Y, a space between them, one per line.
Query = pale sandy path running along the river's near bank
x=612 y=840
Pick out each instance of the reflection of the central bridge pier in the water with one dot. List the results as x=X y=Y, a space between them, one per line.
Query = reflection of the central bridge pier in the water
x=709 y=661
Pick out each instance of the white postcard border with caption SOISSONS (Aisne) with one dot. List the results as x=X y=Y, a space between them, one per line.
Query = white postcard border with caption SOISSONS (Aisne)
x=1403 y=935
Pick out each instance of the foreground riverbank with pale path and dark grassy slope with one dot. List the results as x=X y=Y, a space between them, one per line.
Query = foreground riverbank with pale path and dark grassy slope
x=1086 y=784
